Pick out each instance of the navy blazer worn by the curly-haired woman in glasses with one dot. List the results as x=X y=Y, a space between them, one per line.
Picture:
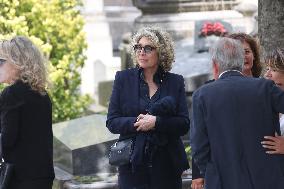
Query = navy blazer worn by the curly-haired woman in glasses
x=124 y=109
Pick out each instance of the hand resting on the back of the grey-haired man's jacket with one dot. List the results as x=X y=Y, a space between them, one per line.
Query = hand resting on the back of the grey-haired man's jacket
x=275 y=145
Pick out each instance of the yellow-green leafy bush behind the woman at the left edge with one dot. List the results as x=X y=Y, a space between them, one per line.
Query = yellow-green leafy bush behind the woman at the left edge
x=56 y=26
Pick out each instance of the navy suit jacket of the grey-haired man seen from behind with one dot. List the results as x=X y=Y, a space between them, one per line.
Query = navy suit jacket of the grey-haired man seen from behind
x=230 y=117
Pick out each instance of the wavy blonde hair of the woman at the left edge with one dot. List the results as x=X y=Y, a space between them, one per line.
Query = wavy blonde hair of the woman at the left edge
x=29 y=60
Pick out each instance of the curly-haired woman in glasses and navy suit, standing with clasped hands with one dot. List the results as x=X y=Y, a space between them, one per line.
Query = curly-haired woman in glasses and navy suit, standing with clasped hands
x=149 y=103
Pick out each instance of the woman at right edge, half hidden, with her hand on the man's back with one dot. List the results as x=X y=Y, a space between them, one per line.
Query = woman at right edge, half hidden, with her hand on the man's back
x=275 y=72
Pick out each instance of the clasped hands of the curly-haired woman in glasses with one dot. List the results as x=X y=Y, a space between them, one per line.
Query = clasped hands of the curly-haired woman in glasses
x=145 y=122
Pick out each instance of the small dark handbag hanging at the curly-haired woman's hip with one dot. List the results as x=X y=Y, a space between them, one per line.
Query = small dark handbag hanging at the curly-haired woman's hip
x=121 y=151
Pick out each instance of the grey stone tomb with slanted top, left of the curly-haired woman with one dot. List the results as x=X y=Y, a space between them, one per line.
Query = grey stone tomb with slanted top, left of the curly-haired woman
x=81 y=145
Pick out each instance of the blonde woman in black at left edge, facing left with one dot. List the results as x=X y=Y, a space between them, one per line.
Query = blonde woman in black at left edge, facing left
x=25 y=115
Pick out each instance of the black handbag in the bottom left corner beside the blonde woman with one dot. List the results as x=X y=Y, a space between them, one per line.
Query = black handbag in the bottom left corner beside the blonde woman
x=6 y=170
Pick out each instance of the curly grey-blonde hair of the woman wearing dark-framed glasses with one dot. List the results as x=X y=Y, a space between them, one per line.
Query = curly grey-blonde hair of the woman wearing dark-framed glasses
x=161 y=40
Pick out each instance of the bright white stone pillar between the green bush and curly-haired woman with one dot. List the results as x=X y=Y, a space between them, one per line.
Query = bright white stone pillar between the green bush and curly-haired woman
x=100 y=65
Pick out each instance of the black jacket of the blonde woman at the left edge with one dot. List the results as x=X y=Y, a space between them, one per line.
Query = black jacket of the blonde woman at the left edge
x=26 y=127
